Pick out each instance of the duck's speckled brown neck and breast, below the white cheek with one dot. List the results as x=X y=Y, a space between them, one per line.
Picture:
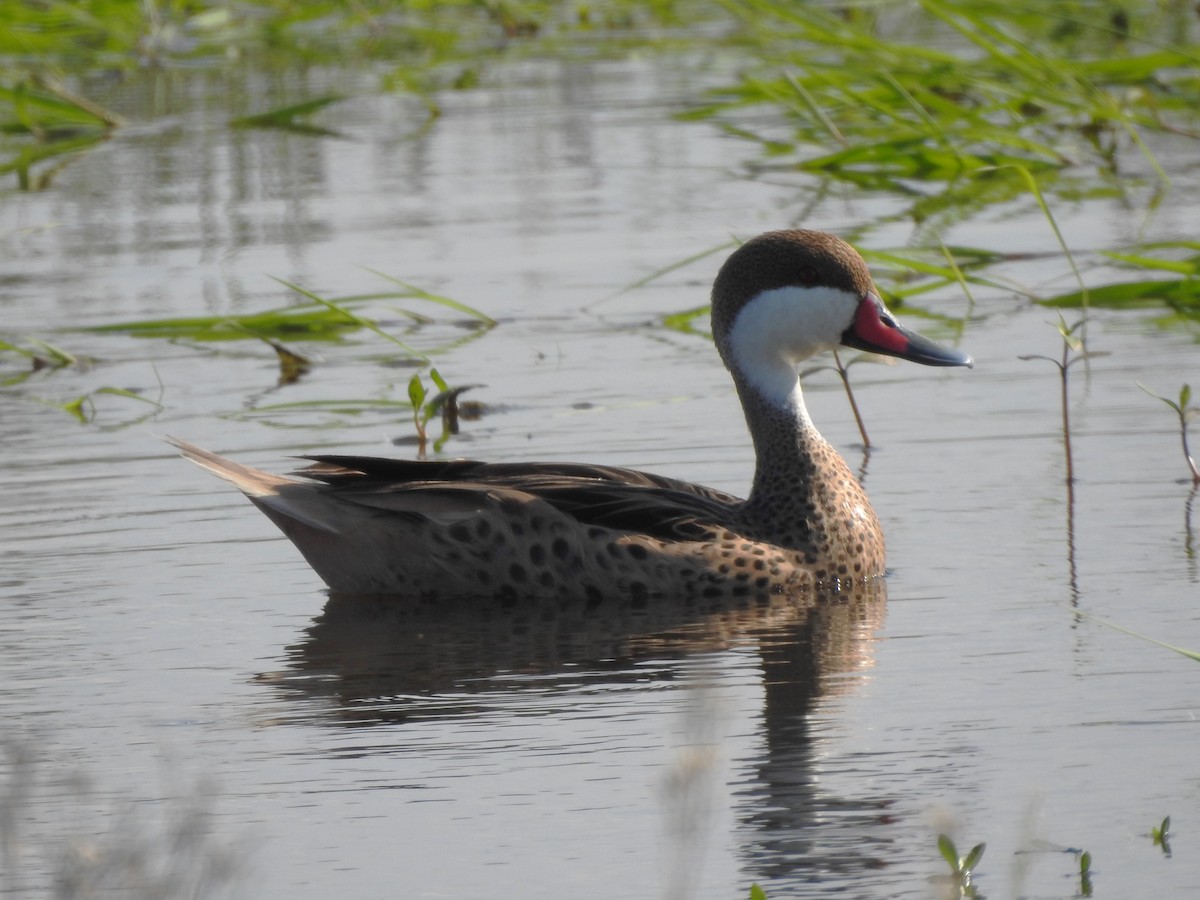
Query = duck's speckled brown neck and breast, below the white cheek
x=805 y=495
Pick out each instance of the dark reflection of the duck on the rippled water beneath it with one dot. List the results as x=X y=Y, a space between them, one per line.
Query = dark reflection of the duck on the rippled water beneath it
x=369 y=663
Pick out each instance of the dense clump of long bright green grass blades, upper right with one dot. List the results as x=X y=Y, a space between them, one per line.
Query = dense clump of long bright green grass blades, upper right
x=879 y=97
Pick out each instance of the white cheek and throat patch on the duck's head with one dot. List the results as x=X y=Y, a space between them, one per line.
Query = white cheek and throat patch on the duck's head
x=781 y=328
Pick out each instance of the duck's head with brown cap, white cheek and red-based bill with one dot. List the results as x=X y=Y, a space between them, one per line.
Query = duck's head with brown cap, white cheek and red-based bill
x=785 y=296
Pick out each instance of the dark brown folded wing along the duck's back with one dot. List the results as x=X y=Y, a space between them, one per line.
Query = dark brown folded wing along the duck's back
x=623 y=500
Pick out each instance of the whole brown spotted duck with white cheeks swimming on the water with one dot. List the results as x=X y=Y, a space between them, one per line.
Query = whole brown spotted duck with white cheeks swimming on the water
x=575 y=532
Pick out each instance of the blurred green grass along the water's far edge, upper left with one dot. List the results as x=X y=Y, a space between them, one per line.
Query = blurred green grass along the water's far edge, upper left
x=51 y=55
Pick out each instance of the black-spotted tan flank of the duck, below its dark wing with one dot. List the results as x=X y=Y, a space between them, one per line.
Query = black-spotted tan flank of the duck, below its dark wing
x=521 y=545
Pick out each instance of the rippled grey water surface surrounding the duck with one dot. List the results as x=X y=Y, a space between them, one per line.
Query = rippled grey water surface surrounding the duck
x=164 y=651
